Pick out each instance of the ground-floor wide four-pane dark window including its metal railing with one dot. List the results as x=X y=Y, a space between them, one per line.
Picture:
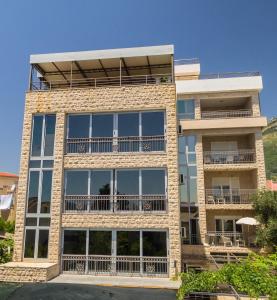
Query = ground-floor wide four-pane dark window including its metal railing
x=115 y=252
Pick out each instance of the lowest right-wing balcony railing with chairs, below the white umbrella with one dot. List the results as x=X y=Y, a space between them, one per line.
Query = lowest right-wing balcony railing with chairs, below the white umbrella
x=226 y=239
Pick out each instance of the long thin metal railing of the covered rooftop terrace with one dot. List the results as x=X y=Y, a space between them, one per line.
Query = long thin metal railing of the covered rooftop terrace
x=150 y=79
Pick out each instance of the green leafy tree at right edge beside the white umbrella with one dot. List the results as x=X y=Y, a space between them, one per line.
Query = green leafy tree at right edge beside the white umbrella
x=265 y=206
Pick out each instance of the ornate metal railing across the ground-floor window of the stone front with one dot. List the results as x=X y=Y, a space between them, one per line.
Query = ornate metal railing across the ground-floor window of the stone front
x=115 y=265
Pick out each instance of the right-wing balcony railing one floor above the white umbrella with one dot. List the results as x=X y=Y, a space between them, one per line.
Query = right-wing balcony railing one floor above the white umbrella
x=231 y=196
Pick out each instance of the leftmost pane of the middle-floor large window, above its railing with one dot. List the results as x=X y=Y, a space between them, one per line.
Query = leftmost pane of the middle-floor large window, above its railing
x=76 y=182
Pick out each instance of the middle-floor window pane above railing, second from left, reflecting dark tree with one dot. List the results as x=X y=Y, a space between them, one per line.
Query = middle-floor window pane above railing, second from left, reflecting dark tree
x=100 y=183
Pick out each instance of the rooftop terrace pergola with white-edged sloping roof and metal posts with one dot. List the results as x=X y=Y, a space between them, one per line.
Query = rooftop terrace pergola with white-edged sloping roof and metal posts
x=102 y=67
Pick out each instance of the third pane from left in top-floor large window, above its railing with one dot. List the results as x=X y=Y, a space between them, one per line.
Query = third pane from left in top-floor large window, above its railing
x=128 y=124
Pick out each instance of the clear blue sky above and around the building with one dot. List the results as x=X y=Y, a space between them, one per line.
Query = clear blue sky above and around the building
x=237 y=35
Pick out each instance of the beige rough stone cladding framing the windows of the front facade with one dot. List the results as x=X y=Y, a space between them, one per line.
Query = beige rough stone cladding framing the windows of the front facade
x=90 y=100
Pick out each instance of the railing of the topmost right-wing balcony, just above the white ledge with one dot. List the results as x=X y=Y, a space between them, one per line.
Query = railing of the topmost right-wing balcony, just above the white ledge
x=226 y=114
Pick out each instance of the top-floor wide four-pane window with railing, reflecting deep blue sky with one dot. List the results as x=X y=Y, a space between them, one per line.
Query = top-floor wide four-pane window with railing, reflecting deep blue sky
x=118 y=132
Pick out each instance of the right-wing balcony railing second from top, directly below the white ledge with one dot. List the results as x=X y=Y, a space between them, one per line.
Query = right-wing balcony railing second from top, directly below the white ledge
x=229 y=157
